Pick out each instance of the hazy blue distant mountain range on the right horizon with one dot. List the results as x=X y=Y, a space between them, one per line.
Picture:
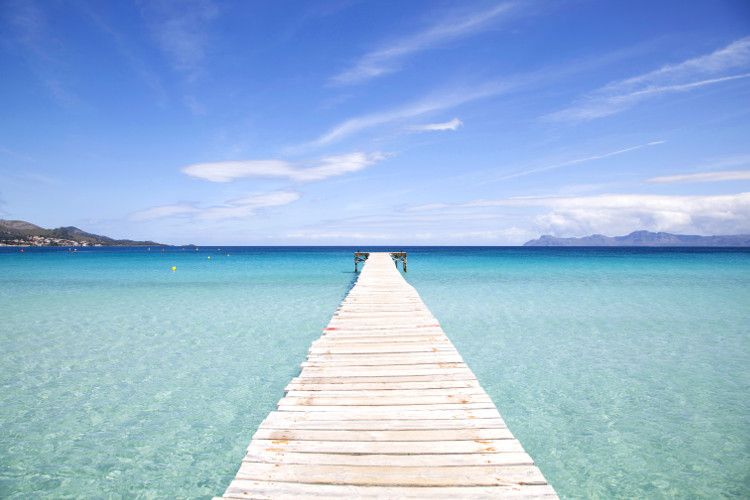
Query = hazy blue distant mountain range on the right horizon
x=643 y=239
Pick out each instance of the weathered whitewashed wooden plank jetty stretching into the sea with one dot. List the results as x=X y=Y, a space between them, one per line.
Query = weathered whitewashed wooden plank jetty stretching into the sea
x=385 y=407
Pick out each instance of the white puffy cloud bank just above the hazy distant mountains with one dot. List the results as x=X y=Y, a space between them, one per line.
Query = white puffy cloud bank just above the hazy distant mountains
x=623 y=213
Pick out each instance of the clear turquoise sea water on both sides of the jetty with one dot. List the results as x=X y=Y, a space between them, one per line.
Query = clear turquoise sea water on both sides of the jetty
x=624 y=373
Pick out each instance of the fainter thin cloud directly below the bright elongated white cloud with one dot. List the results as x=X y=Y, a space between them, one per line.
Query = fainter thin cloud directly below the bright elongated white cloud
x=233 y=209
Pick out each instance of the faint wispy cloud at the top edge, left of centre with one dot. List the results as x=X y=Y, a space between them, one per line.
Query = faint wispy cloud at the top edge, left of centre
x=182 y=31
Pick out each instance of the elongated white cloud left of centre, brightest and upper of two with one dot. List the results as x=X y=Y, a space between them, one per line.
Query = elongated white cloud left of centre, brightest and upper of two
x=330 y=166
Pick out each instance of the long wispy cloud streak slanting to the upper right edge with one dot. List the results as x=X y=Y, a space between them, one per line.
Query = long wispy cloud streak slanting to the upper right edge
x=709 y=69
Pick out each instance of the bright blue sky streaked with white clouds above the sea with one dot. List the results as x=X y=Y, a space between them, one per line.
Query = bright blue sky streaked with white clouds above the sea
x=380 y=123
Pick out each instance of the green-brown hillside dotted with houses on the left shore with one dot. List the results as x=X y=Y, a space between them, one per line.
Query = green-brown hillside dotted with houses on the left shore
x=22 y=233
